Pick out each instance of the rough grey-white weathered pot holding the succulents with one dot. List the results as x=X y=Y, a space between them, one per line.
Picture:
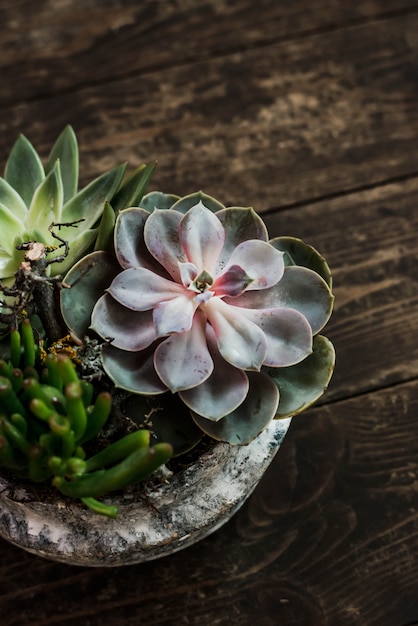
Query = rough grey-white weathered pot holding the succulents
x=193 y=504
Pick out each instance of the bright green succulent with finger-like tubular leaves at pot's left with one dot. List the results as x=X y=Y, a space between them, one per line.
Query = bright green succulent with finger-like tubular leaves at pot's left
x=48 y=414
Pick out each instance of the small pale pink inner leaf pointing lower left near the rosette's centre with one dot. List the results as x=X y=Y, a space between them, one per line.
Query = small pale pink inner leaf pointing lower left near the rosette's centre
x=174 y=316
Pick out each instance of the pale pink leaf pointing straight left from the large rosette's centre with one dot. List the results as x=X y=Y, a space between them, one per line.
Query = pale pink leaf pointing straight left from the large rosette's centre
x=140 y=289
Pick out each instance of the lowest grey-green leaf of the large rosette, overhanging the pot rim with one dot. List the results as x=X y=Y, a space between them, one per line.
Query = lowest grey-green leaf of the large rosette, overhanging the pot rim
x=250 y=418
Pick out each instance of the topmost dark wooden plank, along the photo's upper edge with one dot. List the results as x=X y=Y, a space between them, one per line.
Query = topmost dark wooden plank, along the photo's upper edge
x=49 y=47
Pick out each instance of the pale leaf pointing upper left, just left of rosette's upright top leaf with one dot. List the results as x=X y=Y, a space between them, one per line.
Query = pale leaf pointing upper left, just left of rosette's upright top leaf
x=162 y=240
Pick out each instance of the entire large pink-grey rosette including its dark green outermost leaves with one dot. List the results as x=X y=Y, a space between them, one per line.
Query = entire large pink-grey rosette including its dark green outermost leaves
x=193 y=299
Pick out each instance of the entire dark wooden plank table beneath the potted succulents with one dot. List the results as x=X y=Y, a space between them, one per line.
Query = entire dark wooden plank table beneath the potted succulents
x=307 y=110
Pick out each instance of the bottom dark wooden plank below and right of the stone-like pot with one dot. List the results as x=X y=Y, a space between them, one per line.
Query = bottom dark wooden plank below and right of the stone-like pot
x=327 y=537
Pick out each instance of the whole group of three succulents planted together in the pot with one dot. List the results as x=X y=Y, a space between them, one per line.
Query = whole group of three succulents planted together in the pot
x=177 y=317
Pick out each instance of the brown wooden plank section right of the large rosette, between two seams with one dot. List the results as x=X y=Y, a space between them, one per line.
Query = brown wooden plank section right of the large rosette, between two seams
x=369 y=239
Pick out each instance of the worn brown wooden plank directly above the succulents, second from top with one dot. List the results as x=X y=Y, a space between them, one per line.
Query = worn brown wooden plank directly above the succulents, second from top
x=271 y=127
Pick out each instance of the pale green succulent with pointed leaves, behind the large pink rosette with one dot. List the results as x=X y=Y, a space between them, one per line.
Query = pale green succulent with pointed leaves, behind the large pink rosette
x=33 y=197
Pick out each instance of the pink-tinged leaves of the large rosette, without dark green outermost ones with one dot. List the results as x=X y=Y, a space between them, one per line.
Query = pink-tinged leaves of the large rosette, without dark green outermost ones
x=205 y=307
